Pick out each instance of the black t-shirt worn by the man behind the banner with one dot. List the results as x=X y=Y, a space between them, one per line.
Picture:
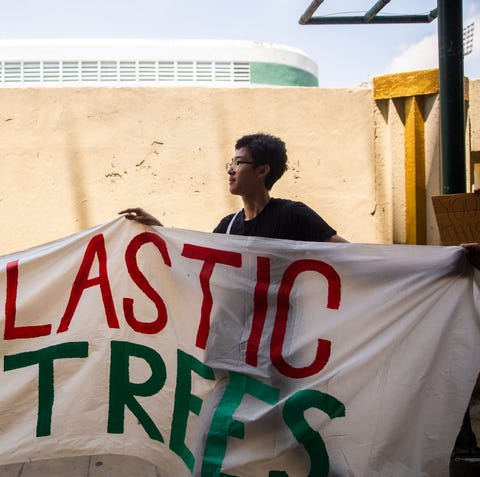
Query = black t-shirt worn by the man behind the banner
x=280 y=218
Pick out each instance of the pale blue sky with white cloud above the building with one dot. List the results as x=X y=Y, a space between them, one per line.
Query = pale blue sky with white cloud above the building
x=347 y=56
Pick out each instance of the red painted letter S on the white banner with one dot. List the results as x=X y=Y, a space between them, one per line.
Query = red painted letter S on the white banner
x=139 y=278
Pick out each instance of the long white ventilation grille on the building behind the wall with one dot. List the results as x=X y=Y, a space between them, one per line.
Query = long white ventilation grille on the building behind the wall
x=111 y=72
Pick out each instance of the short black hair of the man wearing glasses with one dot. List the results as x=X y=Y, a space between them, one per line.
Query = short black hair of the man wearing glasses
x=266 y=149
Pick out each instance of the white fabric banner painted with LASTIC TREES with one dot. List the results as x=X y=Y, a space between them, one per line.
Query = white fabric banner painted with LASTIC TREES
x=218 y=355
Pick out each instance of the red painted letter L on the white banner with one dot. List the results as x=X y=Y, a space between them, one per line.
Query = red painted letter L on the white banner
x=11 y=331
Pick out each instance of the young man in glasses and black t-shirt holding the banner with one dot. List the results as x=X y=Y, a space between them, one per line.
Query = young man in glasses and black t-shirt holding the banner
x=259 y=161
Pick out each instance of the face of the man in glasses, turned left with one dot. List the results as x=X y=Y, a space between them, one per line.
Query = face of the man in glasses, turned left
x=243 y=177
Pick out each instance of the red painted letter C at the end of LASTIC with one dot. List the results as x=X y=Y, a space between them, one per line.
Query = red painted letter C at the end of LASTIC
x=280 y=326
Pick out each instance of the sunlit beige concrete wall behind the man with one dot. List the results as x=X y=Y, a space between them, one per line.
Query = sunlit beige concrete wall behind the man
x=72 y=158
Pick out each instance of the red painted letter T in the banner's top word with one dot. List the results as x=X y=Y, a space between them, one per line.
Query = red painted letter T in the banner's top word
x=210 y=256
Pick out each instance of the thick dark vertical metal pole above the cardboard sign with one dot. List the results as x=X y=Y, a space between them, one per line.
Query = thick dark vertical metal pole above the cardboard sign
x=452 y=106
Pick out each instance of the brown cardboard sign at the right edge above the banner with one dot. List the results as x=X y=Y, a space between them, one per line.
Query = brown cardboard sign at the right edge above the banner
x=458 y=218
